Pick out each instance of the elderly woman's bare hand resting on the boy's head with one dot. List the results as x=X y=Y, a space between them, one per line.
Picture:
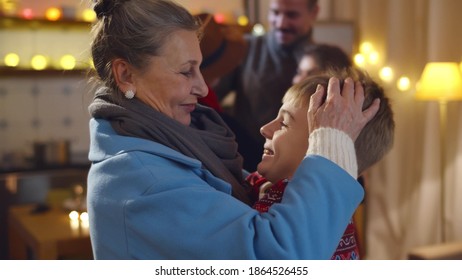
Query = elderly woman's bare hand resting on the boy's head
x=342 y=109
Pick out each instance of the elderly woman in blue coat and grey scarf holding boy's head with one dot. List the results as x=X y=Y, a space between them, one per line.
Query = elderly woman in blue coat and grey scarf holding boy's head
x=166 y=180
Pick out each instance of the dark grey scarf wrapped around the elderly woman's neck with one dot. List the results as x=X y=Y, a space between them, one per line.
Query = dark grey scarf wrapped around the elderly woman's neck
x=208 y=139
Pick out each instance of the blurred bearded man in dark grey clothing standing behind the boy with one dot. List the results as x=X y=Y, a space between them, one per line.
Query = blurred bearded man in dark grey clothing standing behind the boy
x=267 y=71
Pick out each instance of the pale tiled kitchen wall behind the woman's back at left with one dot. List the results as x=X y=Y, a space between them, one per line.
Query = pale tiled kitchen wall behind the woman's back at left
x=42 y=109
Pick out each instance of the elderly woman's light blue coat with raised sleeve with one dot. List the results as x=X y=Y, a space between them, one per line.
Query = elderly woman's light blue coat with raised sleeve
x=147 y=201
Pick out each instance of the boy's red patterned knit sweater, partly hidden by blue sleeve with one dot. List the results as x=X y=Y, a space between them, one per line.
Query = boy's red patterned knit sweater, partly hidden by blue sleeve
x=348 y=247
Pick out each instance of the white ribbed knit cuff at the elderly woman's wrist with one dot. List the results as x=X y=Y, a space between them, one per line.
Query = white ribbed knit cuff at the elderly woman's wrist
x=336 y=146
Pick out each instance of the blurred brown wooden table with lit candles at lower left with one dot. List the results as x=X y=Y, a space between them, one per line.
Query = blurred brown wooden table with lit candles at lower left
x=49 y=235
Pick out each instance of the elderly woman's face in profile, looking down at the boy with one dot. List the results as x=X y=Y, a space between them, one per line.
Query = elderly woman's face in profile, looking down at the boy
x=172 y=82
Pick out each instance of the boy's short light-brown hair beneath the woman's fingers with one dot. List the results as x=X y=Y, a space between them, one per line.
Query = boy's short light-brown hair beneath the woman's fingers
x=376 y=139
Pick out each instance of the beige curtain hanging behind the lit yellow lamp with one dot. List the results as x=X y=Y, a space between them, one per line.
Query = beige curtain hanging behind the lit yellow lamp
x=403 y=190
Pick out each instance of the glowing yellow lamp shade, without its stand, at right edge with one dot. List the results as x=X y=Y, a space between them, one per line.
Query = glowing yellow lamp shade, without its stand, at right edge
x=440 y=81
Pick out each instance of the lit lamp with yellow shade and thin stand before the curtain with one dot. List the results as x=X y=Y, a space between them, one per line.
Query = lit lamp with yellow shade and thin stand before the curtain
x=442 y=82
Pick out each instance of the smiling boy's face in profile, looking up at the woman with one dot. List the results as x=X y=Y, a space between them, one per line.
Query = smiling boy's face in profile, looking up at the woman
x=286 y=143
